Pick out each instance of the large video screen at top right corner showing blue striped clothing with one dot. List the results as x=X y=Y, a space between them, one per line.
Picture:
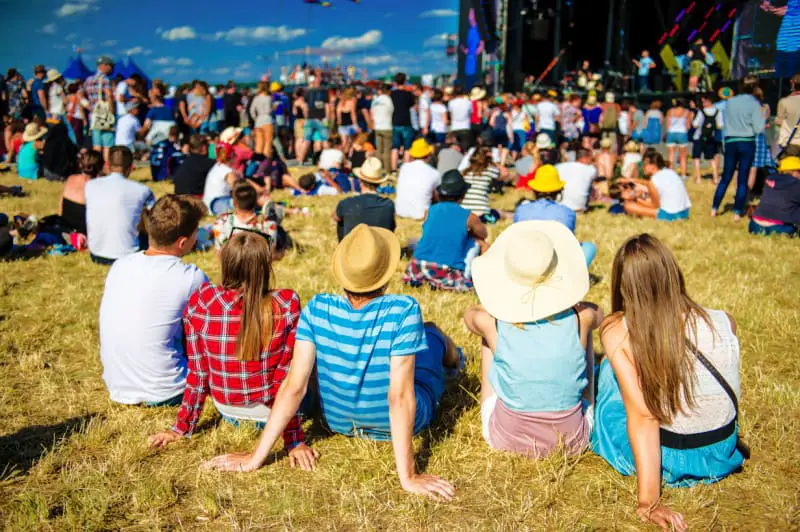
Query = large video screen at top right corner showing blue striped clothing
x=767 y=39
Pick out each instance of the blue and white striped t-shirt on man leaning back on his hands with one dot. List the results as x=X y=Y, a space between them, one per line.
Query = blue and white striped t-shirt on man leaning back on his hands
x=354 y=348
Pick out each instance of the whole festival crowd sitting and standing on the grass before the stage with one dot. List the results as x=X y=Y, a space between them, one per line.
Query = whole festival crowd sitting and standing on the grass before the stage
x=663 y=404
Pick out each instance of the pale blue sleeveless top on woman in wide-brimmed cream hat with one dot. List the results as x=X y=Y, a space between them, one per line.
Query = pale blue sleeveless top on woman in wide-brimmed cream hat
x=540 y=367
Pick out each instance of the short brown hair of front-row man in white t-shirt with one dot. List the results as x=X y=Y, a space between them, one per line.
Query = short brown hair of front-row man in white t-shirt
x=173 y=217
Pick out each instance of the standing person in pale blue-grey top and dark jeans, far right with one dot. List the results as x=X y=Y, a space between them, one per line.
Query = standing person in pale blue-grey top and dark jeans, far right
x=743 y=121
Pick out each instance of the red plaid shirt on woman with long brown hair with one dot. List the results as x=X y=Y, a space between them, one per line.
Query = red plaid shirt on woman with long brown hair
x=211 y=323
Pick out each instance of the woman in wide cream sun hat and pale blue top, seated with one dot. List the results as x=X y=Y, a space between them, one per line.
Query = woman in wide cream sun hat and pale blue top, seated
x=537 y=361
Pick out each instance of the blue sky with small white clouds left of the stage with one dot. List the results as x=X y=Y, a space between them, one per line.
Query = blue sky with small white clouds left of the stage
x=216 y=41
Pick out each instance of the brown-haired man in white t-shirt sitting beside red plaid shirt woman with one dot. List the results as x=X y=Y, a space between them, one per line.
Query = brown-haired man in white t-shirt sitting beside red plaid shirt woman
x=141 y=313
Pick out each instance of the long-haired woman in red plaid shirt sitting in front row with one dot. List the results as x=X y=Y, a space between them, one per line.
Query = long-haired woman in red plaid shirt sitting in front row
x=240 y=338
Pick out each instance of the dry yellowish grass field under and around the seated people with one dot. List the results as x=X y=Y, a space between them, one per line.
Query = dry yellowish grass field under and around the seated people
x=70 y=459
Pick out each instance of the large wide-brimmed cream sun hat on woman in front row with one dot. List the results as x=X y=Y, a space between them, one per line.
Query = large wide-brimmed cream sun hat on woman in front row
x=533 y=270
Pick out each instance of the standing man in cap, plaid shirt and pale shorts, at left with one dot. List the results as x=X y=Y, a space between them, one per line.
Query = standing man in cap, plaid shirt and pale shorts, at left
x=101 y=103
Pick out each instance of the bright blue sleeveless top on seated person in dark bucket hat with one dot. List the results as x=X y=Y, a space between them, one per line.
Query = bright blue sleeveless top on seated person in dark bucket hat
x=445 y=239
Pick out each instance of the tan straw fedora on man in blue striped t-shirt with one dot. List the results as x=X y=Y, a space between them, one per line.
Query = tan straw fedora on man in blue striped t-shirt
x=366 y=258
